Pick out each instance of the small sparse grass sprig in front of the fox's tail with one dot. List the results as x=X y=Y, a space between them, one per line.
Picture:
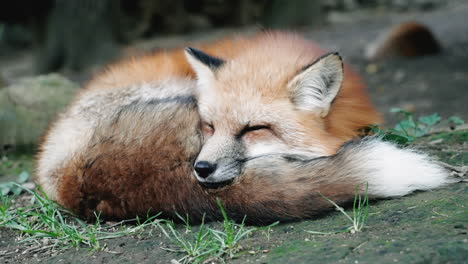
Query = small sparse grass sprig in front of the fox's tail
x=358 y=218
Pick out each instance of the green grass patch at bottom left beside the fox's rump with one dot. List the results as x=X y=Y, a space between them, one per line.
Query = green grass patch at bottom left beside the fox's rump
x=44 y=220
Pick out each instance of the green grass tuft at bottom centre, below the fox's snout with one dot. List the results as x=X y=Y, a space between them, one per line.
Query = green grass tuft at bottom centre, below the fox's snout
x=207 y=243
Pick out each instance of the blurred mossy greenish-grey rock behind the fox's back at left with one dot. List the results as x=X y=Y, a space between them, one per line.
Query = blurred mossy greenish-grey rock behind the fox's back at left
x=27 y=107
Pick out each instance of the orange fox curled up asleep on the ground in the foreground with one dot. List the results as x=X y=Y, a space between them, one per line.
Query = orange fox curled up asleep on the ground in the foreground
x=266 y=124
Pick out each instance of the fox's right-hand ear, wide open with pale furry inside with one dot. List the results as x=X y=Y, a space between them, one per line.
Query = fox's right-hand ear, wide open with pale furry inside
x=316 y=86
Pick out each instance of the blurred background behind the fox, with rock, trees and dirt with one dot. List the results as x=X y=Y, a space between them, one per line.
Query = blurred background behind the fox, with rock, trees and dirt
x=49 y=48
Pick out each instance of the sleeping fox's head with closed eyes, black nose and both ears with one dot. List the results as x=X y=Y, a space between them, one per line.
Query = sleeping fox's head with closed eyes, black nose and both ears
x=255 y=107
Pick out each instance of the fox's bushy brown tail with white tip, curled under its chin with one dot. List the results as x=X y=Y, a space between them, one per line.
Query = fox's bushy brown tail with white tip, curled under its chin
x=290 y=187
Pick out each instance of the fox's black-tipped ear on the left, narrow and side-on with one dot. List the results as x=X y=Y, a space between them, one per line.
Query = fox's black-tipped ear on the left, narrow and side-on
x=203 y=65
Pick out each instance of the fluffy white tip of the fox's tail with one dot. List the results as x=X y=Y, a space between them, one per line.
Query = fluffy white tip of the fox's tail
x=391 y=171
